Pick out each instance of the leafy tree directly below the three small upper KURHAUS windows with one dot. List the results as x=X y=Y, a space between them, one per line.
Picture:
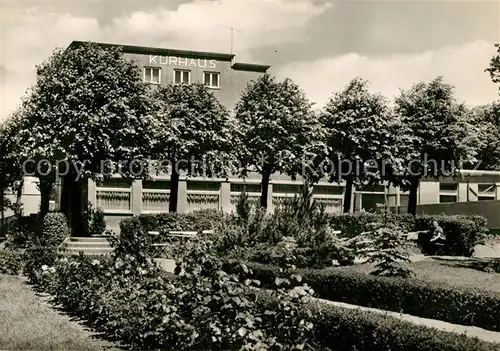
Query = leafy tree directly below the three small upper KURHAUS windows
x=193 y=133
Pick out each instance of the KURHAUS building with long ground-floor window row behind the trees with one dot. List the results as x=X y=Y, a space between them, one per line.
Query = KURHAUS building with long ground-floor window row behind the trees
x=476 y=192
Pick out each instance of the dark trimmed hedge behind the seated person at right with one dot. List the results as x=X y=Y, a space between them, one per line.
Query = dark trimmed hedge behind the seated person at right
x=462 y=232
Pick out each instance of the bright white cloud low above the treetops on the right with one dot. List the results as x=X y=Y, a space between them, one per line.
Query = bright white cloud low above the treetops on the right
x=462 y=66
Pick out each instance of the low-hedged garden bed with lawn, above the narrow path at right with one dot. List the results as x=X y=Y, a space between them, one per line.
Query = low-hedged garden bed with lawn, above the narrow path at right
x=456 y=295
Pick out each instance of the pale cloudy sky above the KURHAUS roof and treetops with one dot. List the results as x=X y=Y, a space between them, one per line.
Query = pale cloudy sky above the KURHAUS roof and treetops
x=320 y=45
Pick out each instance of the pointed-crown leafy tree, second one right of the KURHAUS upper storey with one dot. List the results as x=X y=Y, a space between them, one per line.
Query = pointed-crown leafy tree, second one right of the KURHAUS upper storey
x=357 y=129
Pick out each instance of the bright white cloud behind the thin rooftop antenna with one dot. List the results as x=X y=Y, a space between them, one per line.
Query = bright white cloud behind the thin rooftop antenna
x=203 y=25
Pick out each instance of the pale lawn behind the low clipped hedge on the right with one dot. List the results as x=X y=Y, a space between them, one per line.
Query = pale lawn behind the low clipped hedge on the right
x=452 y=273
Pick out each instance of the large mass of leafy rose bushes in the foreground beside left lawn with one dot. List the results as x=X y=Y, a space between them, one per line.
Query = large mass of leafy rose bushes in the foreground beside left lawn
x=203 y=309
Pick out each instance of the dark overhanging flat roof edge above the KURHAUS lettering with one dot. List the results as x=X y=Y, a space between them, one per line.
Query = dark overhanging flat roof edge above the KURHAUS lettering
x=132 y=49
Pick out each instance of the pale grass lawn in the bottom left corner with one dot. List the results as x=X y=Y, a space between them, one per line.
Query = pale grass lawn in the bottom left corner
x=29 y=323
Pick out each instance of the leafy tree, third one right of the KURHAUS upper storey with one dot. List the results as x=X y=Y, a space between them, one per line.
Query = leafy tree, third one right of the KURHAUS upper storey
x=432 y=136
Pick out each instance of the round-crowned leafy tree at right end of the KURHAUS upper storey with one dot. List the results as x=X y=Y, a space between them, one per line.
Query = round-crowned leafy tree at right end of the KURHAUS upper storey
x=275 y=127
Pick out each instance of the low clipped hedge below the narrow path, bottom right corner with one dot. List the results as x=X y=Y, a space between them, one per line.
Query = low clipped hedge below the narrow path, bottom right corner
x=347 y=329
